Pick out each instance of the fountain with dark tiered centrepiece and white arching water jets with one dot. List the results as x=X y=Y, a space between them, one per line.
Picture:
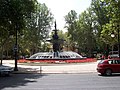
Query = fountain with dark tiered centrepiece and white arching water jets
x=57 y=53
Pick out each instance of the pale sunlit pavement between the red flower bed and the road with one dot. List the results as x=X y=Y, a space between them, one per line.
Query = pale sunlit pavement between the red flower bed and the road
x=54 y=68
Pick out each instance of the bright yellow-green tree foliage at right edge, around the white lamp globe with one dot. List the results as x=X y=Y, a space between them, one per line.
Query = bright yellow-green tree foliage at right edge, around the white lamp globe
x=113 y=25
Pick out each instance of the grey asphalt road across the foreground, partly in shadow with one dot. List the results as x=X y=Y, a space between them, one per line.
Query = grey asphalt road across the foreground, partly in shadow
x=85 y=81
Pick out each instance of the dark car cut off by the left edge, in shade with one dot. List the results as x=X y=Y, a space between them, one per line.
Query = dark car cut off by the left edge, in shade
x=5 y=70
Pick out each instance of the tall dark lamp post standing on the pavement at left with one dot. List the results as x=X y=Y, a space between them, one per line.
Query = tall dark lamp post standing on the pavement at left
x=16 y=49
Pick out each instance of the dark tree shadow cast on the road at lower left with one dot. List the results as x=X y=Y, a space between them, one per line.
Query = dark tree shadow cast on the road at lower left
x=20 y=79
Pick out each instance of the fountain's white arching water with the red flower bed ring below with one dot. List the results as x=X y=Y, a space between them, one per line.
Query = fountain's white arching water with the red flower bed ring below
x=63 y=57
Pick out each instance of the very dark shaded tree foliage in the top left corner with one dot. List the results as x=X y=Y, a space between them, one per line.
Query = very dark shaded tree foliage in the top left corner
x=13 y=14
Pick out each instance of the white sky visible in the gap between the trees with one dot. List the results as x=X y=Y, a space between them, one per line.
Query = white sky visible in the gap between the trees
x=60 y=8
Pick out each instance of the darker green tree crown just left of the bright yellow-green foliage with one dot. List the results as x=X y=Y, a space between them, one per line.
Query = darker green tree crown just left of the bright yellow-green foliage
x=100 y=10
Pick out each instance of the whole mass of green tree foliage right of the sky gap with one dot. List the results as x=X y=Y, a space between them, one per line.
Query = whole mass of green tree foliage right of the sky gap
x=93 y=29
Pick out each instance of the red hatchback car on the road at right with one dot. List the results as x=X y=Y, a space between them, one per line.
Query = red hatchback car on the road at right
x=109 y=66
